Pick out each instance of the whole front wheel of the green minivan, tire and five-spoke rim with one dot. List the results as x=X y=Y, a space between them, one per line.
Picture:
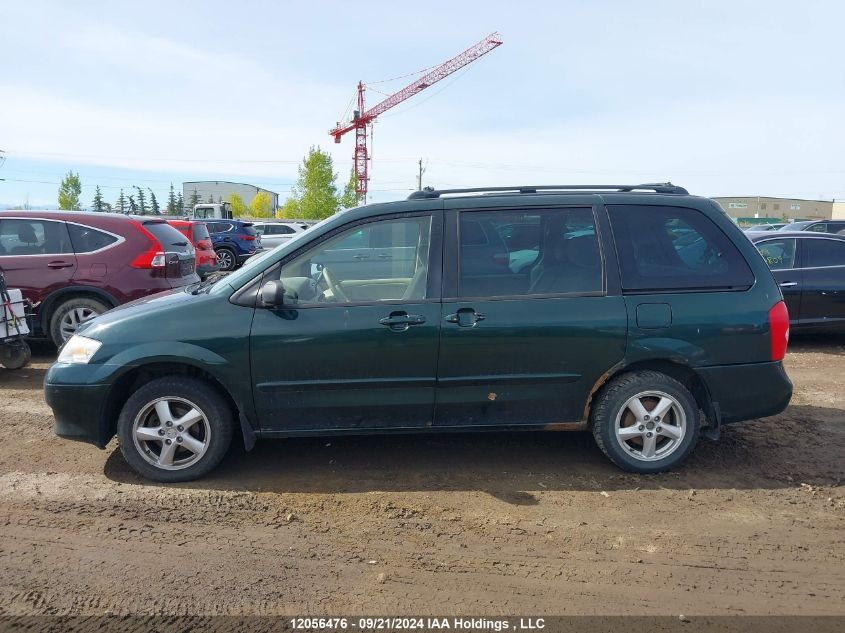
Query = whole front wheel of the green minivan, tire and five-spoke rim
x=197 y=447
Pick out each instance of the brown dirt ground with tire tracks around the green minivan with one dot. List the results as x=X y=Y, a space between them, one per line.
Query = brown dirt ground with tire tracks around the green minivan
x=517 y=523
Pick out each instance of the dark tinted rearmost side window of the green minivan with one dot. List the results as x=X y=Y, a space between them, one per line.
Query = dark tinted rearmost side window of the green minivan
x=675 y=248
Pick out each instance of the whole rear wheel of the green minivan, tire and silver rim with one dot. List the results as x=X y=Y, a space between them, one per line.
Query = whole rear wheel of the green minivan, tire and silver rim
x=634 y=438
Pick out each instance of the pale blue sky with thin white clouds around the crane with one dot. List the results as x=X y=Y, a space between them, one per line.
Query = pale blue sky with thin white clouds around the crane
x=725 y=98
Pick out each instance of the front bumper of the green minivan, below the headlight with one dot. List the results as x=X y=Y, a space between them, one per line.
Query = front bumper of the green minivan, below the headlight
x=79 y=410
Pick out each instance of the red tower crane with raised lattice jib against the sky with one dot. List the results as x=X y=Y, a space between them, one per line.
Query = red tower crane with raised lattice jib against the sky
x=362 y=118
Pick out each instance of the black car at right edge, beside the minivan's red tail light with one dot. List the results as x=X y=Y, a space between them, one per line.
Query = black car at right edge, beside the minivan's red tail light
x=810 y=270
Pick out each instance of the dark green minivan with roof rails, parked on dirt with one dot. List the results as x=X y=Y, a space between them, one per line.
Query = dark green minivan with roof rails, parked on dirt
x=639 y=313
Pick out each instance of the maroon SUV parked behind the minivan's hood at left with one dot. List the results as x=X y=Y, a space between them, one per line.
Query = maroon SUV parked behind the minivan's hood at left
x=74 y=266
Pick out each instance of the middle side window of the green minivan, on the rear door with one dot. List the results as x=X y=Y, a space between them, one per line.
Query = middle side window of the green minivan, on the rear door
x=528 y=252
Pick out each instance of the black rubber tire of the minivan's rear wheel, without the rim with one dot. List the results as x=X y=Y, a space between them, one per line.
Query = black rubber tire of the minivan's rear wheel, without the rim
x=614 y=396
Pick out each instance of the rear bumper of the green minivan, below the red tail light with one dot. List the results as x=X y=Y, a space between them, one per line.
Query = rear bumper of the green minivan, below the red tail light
x=749 y=391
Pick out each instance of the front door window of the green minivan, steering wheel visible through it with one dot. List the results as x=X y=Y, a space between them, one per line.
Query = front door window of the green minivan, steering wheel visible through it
x=385 y=260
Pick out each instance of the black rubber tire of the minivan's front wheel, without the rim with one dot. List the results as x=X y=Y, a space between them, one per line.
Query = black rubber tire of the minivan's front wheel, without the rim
x=215 y=408
